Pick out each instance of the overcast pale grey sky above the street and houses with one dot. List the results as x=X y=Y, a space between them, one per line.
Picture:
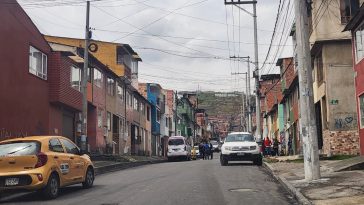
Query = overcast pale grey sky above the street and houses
x=184 y=44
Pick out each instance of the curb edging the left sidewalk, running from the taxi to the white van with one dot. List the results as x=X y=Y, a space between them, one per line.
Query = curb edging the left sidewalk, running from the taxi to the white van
x=124 y=165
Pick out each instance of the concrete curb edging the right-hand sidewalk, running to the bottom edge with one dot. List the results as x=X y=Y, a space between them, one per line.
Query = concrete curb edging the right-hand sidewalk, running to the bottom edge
x=291 y=189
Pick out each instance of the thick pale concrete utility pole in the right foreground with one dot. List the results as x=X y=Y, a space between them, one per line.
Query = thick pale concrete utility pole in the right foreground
x=308 y=118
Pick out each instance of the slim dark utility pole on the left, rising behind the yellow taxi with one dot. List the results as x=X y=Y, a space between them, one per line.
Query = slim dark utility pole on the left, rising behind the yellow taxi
x=84 y=82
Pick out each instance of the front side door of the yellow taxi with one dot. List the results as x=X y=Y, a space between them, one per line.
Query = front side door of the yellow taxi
x=77 y=165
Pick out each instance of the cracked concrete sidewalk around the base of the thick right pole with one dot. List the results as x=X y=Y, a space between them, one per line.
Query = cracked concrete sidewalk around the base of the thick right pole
x=344 y=187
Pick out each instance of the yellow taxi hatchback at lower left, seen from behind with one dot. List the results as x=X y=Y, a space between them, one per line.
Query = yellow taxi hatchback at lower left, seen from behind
x=43 y=163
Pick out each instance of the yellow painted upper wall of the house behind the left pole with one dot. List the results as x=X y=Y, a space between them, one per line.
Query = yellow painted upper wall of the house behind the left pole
x=106 y=52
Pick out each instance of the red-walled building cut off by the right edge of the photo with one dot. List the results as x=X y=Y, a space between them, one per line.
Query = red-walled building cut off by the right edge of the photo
x=357 y=32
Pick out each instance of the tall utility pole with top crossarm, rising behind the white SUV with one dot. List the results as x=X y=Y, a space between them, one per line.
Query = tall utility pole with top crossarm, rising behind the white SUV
x=256 y=71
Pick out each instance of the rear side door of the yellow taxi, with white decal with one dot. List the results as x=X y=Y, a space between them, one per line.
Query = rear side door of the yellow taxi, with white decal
x=61 y=159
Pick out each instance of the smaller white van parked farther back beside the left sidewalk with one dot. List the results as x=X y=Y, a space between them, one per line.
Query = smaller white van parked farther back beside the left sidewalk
x=178 y=148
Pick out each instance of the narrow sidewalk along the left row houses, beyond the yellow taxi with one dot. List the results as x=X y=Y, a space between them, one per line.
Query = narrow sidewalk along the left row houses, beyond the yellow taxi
x=109 y=163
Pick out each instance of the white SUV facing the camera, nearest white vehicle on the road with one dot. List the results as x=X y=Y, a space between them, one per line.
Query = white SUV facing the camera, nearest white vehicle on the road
x=240 y=146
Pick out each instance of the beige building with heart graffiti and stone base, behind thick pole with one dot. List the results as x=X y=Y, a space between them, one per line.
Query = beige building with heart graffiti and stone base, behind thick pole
x=333 y=85
